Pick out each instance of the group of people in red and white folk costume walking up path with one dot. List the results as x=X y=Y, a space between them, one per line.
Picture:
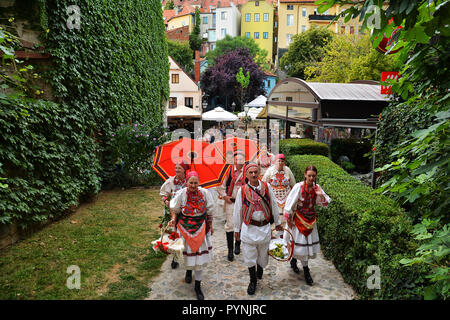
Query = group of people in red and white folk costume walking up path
x=252 y=203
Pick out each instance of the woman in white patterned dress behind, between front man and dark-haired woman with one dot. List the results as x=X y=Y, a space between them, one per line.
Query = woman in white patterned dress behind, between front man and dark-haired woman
x=282 y=180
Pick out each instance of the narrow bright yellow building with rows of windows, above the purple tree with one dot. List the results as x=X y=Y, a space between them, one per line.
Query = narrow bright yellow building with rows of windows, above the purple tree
x=257 y=22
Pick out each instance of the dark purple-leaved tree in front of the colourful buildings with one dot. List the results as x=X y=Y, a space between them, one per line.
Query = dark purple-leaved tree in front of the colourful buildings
x=220 y=78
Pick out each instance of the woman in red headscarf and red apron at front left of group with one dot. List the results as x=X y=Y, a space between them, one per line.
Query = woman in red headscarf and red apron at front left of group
x=192 y=213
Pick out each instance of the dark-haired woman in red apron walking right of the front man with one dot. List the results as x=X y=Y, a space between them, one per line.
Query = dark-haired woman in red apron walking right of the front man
x=301 y=215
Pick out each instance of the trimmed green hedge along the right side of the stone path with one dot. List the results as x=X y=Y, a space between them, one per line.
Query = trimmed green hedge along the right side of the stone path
x=360 y=229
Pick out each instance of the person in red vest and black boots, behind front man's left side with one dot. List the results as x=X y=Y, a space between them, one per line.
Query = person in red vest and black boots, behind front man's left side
x=228 y=191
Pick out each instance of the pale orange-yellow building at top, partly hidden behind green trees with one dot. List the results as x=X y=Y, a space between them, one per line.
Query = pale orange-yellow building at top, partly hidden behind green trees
x=295 y=17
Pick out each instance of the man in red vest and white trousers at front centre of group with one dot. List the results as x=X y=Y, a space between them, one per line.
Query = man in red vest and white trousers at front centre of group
x=255 y=208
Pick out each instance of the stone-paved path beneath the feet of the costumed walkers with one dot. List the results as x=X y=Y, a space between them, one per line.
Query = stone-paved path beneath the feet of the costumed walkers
x=224 y=280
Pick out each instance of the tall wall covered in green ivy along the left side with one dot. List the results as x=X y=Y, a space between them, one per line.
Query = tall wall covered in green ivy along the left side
x=113 y=69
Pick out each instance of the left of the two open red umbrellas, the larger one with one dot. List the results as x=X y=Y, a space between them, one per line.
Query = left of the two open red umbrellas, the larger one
x=201 y=156
